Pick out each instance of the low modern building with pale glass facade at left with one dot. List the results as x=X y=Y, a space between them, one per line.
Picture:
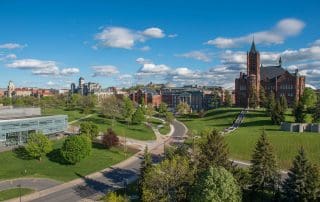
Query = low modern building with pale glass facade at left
x=16 y=131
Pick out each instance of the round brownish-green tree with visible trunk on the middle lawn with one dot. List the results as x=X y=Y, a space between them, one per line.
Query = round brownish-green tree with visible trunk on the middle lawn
x=111 y=107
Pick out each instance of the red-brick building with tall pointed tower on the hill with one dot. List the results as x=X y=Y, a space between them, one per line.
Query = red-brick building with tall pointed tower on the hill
x=274 y=79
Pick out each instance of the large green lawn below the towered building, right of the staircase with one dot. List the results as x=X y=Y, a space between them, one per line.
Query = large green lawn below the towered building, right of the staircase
x=285 y=144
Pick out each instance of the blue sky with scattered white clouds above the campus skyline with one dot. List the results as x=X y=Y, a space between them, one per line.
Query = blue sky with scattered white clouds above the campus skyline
x=119 y=43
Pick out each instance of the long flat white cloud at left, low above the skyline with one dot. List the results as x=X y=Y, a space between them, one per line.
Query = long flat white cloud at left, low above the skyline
x=41 y=67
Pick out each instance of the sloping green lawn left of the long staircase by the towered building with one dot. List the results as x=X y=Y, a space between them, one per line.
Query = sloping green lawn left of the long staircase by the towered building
x=218 y=118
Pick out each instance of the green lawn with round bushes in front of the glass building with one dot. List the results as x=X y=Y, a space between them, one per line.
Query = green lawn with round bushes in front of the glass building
x=15 y=163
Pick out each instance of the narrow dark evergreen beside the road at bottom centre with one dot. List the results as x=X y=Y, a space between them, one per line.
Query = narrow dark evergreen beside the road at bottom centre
x=145 y=165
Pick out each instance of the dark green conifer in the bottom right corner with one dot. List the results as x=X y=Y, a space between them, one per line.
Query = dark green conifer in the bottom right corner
x=303 y=182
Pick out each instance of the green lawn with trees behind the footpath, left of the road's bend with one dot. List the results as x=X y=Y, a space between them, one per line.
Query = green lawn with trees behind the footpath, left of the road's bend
x=135 y=131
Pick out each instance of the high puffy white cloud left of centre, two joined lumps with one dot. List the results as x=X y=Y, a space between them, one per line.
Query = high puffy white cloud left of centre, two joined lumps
x=121 y=37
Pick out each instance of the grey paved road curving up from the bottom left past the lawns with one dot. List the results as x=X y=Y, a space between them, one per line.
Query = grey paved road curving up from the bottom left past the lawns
x=95 y=187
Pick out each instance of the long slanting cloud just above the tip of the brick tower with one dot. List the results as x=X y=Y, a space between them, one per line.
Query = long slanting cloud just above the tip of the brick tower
x=276 y=35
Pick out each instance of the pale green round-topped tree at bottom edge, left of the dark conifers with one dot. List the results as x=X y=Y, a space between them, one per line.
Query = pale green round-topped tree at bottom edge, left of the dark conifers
x=216 y=184
